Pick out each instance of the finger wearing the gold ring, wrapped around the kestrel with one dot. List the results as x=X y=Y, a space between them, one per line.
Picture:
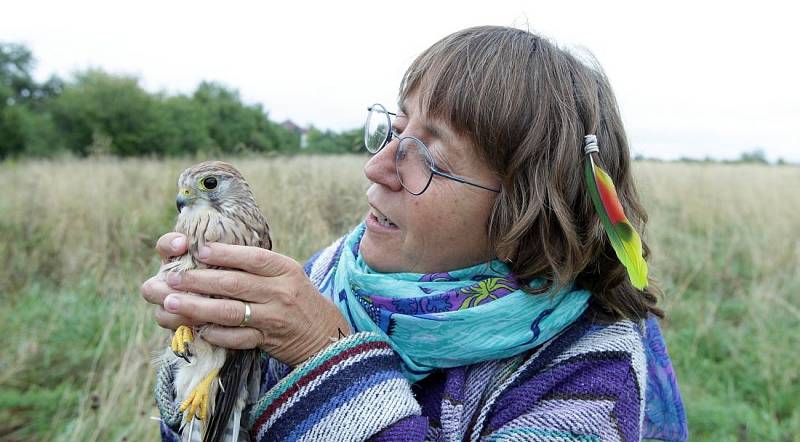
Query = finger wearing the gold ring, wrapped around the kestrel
x=201 y=309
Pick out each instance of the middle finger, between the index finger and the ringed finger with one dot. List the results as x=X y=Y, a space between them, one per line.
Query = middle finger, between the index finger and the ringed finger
x=228 y=283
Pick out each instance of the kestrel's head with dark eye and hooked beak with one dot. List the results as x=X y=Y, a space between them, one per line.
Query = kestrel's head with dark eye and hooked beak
x=212 y=185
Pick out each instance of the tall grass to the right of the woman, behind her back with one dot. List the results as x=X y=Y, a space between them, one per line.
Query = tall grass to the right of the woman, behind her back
x=728 y=252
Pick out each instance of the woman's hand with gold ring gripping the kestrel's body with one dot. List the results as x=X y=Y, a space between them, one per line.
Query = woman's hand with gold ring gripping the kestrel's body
x=290 y=320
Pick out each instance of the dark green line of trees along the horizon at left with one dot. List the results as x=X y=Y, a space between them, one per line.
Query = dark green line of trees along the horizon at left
x=95 y=112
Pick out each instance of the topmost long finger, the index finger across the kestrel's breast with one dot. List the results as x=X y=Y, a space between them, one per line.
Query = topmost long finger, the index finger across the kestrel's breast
x=250 y=259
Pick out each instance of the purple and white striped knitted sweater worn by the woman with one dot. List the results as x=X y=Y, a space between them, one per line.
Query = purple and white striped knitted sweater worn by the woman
x=592 y=382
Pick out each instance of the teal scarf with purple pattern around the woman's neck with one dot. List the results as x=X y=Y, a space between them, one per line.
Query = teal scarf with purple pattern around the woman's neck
x=446 y=319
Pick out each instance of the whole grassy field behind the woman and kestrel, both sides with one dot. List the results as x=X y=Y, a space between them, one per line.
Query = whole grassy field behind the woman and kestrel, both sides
x=77 y=237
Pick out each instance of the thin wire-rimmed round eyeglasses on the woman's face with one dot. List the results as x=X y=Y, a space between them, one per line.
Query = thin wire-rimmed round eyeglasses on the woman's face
x=413 y=161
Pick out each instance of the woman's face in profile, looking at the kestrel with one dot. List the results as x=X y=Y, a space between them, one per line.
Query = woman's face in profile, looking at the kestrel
x=443 y=229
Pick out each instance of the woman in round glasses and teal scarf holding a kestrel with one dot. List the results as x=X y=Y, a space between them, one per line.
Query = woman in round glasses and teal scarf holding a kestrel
x=481 y=297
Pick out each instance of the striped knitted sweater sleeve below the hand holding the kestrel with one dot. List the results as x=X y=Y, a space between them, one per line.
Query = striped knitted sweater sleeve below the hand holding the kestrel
x=353 y=389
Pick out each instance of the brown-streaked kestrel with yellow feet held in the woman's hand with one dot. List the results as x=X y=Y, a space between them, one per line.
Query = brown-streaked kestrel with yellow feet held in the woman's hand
x=215 y=204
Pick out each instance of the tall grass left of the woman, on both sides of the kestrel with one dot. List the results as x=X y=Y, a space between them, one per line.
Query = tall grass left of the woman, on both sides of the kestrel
x=77 y=237
